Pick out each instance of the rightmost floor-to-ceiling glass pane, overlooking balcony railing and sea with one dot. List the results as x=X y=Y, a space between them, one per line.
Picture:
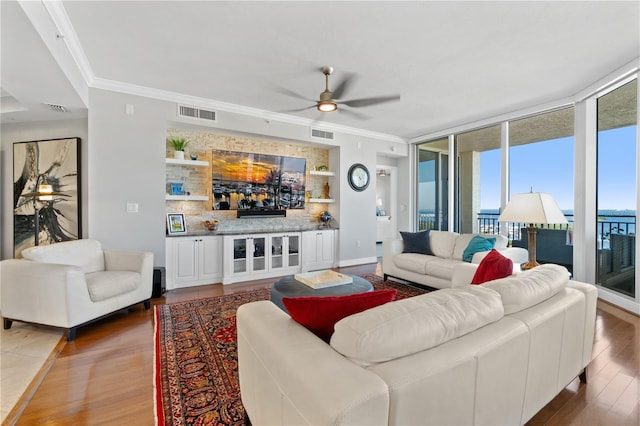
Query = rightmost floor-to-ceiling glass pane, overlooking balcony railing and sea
x=616 y=190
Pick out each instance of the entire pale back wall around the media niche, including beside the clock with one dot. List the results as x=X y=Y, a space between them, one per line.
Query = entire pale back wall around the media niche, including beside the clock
x=126 y=165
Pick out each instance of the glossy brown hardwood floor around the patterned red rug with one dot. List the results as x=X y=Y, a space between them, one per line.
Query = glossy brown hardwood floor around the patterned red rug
x=105 y=375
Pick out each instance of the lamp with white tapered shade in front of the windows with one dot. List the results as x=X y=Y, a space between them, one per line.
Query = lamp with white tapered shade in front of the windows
x=532 y=208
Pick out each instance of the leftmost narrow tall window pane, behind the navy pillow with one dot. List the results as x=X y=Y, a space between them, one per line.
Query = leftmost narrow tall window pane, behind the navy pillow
x=433 y=185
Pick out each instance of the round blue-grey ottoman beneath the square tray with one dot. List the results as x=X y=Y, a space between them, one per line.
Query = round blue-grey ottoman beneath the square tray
x=289 y=287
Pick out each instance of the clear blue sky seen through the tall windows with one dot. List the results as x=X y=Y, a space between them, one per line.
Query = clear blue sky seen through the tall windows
x=548 y=167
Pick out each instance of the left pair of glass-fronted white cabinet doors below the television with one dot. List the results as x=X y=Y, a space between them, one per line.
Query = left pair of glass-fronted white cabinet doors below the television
x=244 y=255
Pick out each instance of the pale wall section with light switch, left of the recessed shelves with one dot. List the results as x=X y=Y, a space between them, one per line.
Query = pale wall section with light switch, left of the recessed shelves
x=126 y=165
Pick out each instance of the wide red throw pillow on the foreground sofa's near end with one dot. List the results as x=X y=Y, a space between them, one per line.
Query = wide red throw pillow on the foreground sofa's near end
x=319 y=314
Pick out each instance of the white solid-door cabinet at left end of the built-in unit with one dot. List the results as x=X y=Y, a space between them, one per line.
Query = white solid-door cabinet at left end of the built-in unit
x=193 y=261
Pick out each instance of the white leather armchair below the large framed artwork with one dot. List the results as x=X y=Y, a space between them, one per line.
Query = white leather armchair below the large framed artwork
x=72 y=283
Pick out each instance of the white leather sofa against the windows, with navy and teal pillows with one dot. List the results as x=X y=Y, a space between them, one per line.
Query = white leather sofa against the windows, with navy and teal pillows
x=437 y=270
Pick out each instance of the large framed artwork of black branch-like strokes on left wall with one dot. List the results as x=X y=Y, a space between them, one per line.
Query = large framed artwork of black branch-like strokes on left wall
x=46 y=218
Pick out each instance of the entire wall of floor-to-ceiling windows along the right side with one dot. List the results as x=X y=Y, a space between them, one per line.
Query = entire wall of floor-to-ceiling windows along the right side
x=545 y=154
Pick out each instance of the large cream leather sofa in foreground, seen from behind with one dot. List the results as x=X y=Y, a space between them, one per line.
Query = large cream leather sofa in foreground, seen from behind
x=492 y=354
